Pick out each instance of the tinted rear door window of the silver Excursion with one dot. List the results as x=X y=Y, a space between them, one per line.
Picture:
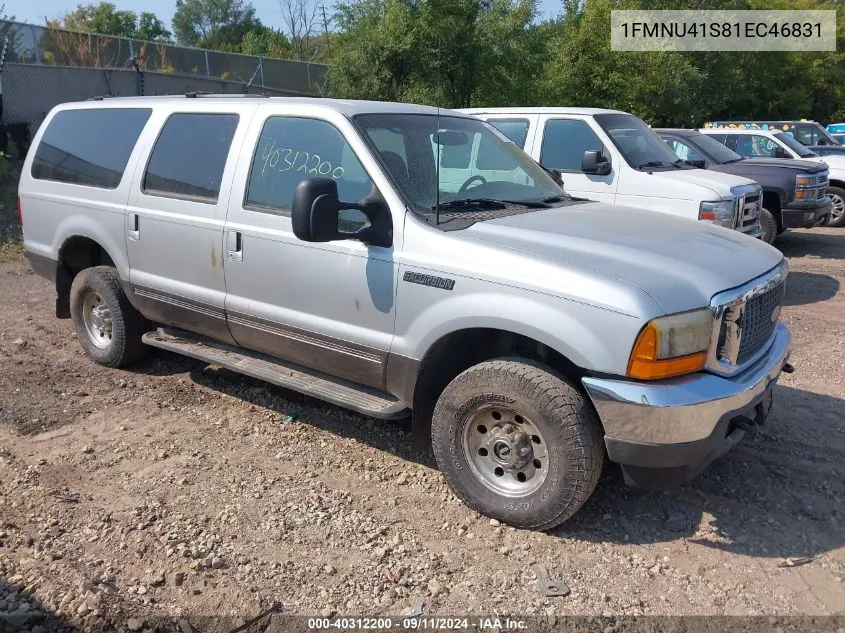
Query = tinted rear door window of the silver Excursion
x=189 y=156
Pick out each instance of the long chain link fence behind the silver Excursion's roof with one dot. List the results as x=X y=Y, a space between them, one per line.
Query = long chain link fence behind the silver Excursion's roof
x=47 y=66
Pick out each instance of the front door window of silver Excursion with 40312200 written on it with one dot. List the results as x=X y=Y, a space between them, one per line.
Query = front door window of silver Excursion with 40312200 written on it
x=291 y=149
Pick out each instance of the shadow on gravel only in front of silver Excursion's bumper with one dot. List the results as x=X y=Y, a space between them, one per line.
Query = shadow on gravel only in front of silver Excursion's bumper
x=778 y=494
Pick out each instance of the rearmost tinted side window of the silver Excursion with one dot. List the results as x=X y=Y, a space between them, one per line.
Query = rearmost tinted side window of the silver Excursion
x=89 y=147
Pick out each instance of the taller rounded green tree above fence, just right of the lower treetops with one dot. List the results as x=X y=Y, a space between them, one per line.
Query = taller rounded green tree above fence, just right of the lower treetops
x=219 y=24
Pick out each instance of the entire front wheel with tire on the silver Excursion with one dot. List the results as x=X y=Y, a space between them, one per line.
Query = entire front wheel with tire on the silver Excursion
x=517 y=442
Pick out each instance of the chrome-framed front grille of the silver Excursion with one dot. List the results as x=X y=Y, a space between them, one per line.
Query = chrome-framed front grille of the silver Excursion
x=744 y=320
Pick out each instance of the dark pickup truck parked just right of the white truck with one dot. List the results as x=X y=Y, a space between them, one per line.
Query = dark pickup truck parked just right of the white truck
x=794 y=191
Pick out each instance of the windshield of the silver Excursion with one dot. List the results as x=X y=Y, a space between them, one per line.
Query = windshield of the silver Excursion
x=462 y=164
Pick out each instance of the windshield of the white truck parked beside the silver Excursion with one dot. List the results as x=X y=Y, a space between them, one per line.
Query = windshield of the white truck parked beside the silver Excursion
x=641 y=147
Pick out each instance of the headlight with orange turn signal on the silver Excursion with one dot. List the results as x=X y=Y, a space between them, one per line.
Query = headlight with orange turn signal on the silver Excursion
x=671 y=346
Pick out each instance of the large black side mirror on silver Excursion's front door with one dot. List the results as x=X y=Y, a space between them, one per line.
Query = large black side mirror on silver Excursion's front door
x=315 y=215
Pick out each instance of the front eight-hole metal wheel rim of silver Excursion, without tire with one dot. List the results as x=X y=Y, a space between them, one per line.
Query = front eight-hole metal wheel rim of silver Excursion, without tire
x=506 y=451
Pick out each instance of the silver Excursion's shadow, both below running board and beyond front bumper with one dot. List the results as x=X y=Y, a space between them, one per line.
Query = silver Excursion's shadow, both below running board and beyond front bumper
x=778 y=494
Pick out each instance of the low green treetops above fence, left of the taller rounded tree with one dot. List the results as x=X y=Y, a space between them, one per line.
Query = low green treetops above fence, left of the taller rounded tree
x=105 y=19
